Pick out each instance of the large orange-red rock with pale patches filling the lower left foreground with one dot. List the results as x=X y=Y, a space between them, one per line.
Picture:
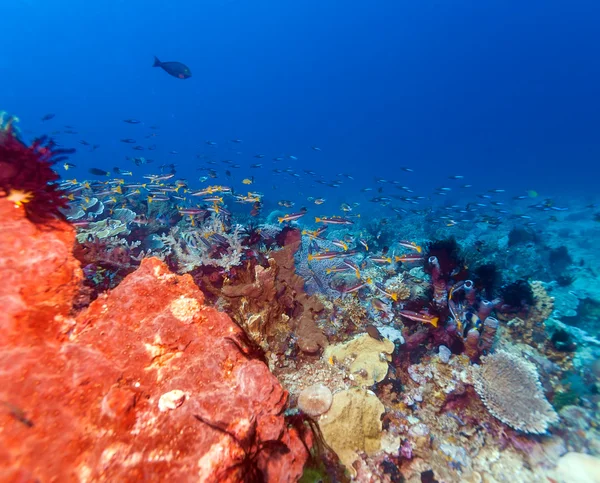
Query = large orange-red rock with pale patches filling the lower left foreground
x=132 y=390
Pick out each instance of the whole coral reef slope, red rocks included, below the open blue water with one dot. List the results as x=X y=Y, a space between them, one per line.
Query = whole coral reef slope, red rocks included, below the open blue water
x=206 y=330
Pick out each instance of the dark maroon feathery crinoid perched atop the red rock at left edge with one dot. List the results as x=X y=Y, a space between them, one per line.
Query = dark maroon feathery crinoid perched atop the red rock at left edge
x=27 y=177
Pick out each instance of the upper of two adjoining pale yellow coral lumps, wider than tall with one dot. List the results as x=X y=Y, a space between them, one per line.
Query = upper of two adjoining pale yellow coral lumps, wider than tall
x=366 y=358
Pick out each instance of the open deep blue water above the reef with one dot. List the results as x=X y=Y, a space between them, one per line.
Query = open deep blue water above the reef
x=505 y=92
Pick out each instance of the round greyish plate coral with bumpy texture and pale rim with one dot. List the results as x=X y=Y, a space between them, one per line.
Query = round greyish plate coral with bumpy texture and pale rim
x=509 y=387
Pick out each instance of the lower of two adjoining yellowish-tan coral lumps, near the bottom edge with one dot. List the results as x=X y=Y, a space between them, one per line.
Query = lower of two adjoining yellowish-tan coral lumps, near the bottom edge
x=353 y=424
